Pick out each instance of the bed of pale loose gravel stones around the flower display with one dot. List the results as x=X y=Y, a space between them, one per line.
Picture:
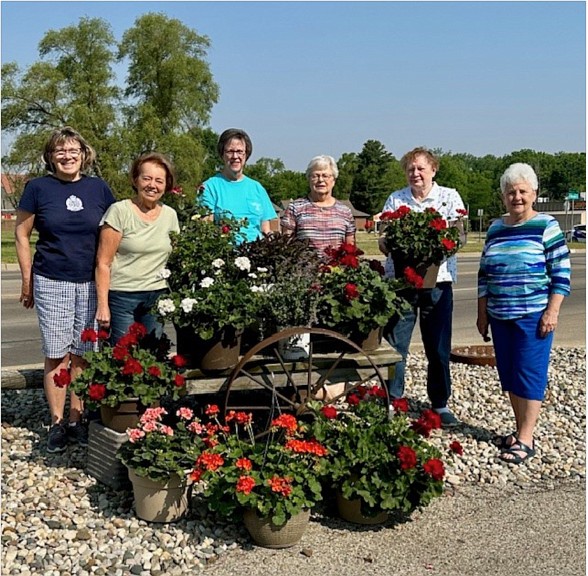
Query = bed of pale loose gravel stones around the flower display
x=57 y=520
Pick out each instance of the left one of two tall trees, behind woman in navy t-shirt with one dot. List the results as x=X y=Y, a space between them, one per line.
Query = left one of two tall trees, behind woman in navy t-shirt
x=73 y=85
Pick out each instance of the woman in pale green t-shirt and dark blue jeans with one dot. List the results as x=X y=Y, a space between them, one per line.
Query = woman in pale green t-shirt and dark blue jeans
x=134 y=248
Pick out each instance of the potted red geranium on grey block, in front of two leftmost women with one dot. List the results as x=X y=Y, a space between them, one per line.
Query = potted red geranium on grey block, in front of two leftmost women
x=137 y=370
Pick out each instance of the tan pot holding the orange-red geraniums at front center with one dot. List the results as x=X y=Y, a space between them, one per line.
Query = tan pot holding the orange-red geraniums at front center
x=266 y=534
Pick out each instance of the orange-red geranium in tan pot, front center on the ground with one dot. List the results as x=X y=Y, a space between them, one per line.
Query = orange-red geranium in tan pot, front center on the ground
x=271 y=481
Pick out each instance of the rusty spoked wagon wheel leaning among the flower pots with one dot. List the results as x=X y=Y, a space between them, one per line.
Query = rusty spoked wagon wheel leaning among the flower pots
x=267 y=384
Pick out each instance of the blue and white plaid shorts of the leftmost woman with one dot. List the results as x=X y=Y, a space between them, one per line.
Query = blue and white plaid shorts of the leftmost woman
x=64 y=310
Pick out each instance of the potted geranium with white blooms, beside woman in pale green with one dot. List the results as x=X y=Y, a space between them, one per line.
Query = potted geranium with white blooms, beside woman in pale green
x=210 y=298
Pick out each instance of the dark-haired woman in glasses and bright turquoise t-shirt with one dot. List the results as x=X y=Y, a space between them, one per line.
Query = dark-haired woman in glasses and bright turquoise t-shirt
x=232 y=193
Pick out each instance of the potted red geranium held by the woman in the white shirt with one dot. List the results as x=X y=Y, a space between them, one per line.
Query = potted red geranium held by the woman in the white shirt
x=417 y=240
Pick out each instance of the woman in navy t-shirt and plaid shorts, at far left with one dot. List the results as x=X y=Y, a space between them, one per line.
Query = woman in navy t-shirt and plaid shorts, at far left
x=65 y=207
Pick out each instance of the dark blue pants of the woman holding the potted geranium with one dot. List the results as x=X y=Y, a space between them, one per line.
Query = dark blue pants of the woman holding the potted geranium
x=434 y=308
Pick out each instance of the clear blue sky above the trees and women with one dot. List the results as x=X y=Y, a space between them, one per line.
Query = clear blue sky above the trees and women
x=308 y=78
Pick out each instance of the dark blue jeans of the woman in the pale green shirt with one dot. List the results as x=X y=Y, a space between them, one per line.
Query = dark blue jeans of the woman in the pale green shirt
x=129 y=307
